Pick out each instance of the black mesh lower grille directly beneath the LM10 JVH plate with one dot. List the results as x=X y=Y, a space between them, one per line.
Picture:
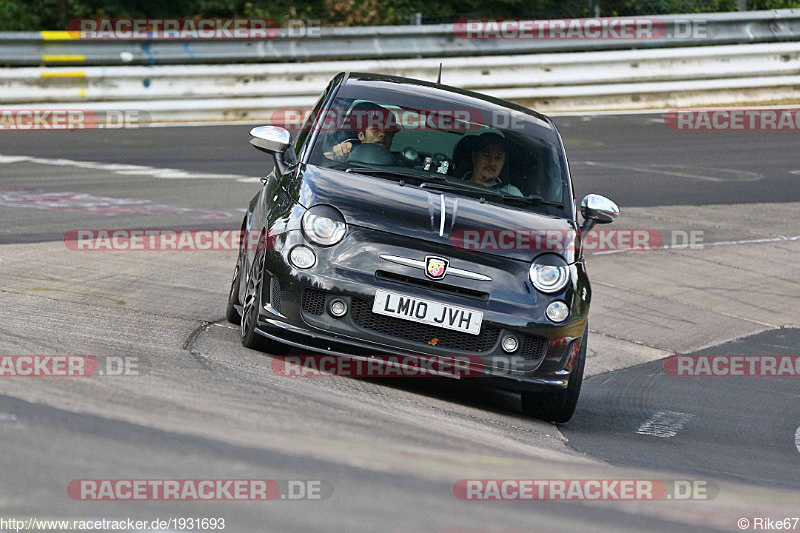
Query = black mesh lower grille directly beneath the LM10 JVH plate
x=423 y=333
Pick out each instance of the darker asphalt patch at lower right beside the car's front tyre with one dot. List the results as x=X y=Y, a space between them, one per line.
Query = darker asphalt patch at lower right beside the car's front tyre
x=737 y=428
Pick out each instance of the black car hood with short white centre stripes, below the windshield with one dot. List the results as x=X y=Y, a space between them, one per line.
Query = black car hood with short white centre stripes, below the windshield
x=385 y=205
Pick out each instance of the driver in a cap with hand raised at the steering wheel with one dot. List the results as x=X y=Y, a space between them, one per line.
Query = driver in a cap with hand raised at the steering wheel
x=375 y=124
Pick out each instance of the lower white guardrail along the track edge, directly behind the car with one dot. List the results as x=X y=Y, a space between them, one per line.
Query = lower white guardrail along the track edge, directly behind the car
x=586 y=81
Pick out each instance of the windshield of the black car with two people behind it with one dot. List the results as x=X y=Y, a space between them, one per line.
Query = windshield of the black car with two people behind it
x=463 y=145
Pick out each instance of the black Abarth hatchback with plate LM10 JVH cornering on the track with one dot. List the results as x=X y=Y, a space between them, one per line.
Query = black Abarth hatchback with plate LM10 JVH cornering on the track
x=420 y=219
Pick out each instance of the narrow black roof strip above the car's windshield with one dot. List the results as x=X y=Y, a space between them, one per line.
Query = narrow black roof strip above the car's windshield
x=411 y=85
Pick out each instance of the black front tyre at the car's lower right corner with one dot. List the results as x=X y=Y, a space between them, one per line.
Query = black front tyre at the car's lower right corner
x=558 y=406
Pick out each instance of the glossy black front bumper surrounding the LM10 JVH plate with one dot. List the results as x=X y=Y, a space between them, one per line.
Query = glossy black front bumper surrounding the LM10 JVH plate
x=294 y=308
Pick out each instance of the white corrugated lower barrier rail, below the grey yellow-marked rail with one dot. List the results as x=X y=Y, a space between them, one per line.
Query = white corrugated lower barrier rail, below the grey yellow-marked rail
x=511 y=74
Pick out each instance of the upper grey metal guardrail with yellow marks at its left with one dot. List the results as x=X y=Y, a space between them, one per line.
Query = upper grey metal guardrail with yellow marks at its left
x=383 y=42
